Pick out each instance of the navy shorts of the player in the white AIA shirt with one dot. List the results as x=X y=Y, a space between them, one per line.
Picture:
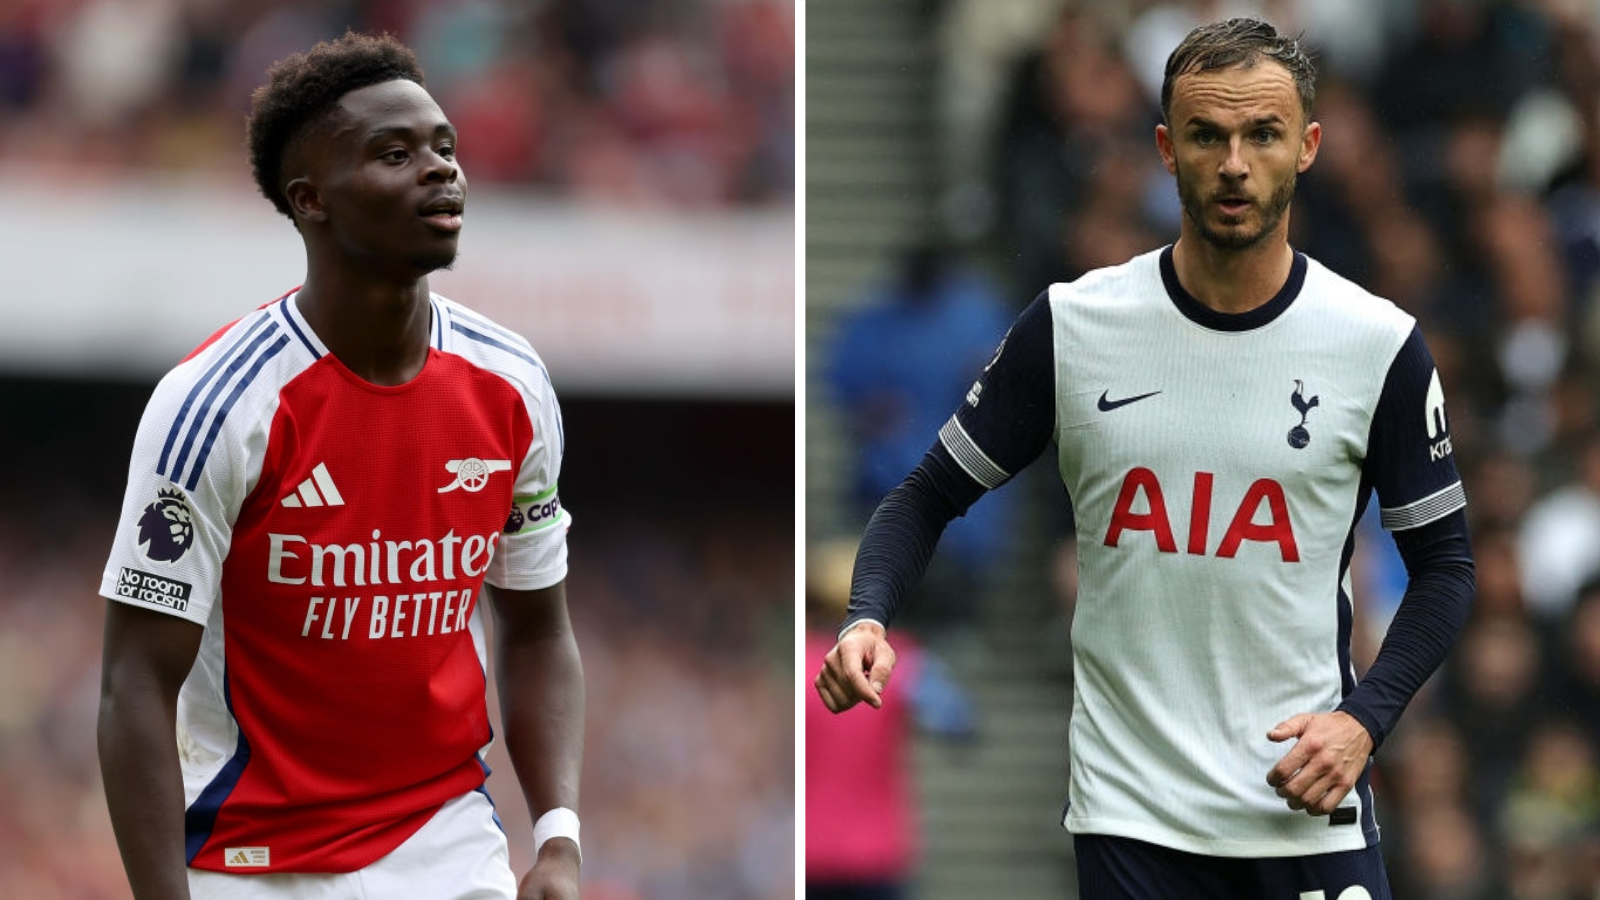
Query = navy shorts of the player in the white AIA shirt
x=1121 y=869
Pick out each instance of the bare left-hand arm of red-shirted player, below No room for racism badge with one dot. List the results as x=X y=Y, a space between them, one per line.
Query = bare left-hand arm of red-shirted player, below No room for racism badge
x=145 y=661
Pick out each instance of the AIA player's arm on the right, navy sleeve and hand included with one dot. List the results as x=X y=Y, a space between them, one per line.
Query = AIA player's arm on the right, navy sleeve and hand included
x=1423 y=505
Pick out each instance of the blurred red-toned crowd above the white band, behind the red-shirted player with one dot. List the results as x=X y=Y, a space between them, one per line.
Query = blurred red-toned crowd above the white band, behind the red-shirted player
x=682 y=103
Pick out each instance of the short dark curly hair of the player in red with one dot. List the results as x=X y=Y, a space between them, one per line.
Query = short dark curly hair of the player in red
x=305 y=87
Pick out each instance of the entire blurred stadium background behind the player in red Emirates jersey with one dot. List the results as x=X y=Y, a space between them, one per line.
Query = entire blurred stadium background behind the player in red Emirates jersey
x=631 y=174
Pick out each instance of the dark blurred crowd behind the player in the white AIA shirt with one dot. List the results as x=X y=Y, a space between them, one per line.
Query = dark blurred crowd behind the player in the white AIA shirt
x=1458 y=177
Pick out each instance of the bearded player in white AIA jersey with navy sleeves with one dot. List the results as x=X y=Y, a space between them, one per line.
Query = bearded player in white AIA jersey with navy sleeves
x=1222 y=414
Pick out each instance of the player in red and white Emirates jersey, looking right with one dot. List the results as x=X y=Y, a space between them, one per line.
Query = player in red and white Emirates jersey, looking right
x=319 y=502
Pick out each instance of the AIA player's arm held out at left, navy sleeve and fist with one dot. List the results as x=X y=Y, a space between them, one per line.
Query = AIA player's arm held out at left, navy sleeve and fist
x=1006 y=425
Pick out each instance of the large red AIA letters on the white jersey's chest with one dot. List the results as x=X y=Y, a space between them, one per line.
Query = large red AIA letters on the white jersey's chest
x=1244 y=528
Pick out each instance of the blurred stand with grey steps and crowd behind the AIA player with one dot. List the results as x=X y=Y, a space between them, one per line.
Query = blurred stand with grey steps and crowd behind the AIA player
x=1460 y=175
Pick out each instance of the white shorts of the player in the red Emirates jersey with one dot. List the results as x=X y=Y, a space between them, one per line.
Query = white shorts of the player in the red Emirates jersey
x=458 y=856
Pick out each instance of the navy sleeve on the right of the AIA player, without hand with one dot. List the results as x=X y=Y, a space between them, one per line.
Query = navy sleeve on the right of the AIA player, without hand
x=1412 y=465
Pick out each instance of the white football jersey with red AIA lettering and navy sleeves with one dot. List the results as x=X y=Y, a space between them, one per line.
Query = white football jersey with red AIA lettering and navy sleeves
x=1217 y=468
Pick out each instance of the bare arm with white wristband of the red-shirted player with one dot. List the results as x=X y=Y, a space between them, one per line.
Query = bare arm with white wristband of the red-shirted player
x=542 y=691
